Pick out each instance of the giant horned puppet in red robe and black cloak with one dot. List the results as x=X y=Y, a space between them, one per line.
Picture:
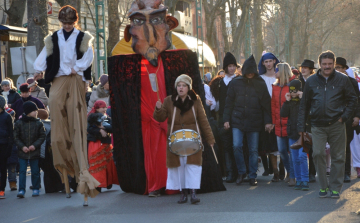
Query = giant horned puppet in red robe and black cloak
x=139 y=140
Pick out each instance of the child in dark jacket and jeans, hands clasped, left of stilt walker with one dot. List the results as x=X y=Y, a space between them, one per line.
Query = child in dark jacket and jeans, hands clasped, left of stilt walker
x=29 y=134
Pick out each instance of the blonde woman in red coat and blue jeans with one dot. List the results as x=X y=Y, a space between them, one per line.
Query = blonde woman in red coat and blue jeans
x=280 y=88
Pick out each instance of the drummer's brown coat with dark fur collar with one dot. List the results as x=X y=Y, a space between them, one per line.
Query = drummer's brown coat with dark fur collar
x=184 y=119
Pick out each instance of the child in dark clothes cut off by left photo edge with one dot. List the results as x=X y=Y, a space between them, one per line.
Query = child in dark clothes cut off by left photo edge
x=6 y=142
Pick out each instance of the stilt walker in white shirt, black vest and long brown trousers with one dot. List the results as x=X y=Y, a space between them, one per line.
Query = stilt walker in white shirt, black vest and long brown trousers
x=66 y=59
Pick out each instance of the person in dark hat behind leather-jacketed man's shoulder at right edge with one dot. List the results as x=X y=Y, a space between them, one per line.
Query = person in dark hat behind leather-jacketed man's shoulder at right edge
x=341 y=66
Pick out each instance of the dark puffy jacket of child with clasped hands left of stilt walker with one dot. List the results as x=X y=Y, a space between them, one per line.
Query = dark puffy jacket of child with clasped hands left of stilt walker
x=29 y=131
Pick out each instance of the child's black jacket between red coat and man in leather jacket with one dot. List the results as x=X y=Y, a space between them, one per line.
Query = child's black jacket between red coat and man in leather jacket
x=290 y=109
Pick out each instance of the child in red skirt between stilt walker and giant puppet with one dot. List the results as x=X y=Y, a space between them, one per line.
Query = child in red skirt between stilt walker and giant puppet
x=101 y=162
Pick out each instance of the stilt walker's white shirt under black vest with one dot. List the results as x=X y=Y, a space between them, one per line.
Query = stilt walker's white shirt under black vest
x=68 y=57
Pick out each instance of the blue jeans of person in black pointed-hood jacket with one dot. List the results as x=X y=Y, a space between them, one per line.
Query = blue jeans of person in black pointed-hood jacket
x=253 y=144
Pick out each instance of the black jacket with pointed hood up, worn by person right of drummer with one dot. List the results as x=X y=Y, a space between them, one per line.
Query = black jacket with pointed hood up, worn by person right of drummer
x=248 y=104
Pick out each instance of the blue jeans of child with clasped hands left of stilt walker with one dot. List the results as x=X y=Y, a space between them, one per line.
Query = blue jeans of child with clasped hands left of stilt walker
x=35 y=173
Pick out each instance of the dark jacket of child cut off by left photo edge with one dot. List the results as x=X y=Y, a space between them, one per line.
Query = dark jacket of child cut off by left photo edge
x=6 y=133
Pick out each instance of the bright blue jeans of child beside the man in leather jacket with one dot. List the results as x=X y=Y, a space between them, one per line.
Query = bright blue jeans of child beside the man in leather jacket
x=300 y=164
